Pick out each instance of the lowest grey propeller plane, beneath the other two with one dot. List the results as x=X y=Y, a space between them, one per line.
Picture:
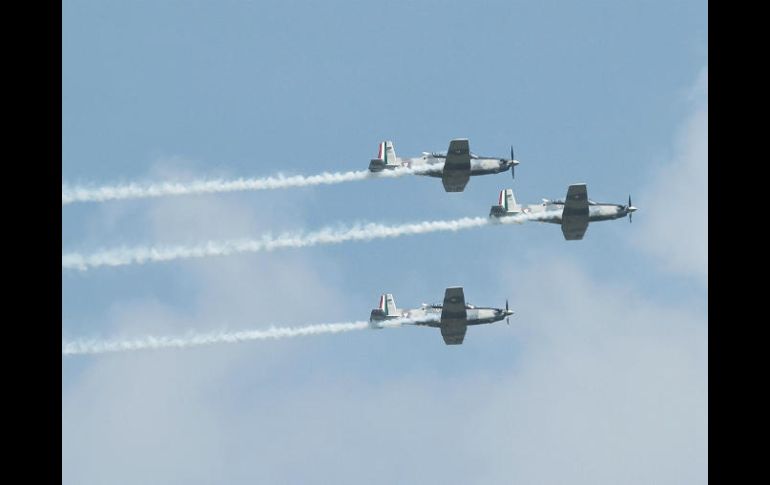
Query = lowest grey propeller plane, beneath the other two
x=452 y=317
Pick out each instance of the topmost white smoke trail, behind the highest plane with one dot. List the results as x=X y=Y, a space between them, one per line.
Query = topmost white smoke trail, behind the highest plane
x=139 y=191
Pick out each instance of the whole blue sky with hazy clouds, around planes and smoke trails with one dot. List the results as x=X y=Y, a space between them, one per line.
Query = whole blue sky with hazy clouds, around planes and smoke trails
x=613 y=94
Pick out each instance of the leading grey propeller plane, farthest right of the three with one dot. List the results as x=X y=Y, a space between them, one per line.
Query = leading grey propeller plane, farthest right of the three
x=573 y=213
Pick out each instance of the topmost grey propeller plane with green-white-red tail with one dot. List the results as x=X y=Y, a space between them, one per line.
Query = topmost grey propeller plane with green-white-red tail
x=454 y=167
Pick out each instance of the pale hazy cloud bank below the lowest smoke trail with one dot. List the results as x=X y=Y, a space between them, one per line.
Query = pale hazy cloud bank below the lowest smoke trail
x=607 y=387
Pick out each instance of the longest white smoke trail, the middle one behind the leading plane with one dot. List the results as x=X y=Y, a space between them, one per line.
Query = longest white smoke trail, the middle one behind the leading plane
x=149 y=254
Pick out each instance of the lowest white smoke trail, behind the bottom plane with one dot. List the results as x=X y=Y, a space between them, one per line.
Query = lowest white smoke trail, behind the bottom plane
x=92 y=346
